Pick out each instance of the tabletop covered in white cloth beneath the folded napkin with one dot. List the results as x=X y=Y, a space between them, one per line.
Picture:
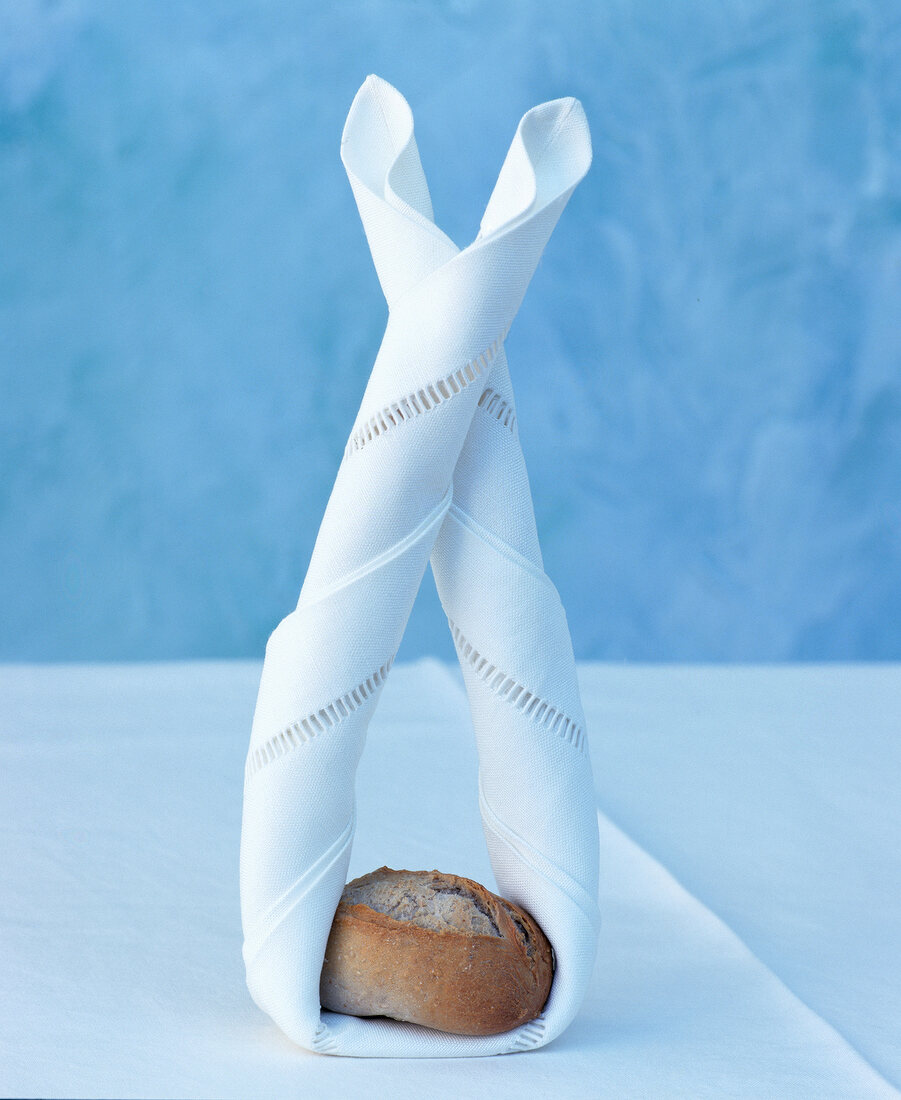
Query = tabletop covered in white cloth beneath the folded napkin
x=751 y=877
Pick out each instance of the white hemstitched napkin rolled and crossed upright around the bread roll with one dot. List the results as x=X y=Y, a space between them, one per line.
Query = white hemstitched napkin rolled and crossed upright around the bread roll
x=433 y=471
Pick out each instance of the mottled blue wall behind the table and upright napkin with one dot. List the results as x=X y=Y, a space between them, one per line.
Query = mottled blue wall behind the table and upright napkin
x=708 y=364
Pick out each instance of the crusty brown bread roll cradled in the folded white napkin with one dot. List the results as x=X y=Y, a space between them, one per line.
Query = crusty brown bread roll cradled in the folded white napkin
x=435 y=950
